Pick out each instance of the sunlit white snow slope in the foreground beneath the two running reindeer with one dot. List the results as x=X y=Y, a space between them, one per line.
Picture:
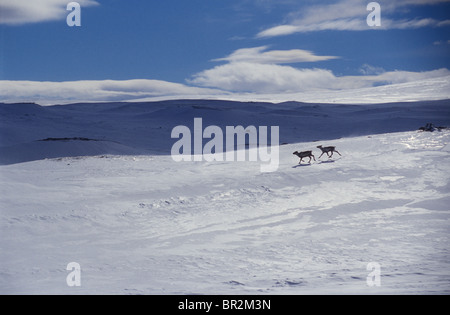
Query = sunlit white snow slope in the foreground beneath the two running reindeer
x=145 y=224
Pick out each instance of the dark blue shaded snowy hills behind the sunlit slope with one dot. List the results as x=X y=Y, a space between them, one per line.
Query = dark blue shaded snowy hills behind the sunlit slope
x=121 y=128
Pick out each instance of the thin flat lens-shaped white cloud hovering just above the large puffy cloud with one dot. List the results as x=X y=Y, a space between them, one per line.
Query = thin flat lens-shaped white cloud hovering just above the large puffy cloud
x=259 y=55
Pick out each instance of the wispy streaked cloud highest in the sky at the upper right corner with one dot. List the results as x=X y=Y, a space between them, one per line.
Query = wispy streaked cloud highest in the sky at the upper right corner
x=350 y=15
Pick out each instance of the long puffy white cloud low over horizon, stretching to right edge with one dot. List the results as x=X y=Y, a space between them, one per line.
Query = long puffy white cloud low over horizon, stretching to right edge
x=269 y=78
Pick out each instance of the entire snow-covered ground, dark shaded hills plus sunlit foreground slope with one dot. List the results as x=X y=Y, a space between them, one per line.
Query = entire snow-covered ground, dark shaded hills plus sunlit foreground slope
x=139 y=223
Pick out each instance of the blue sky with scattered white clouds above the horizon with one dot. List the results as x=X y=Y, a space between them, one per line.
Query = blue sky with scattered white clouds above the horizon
x=235 y=46
